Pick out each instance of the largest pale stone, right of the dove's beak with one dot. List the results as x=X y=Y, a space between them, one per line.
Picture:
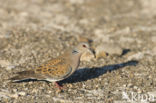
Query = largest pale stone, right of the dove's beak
x=105 y=48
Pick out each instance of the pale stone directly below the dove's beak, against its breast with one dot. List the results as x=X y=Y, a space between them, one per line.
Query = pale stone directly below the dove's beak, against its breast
x=87 y=56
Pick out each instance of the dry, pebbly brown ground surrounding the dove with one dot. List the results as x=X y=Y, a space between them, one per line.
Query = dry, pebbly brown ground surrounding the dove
x=34 y=31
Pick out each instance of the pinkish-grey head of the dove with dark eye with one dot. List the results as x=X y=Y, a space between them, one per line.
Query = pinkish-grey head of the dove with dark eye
x=80 y=48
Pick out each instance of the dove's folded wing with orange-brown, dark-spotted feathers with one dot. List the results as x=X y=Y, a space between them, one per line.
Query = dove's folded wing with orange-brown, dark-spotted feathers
x=55 y=69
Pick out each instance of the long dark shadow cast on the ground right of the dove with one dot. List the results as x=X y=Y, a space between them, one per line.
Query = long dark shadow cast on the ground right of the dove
x=90 y=73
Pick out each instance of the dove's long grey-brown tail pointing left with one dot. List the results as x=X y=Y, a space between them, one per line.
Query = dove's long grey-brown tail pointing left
x=24 y=75
